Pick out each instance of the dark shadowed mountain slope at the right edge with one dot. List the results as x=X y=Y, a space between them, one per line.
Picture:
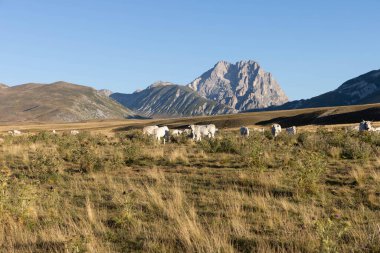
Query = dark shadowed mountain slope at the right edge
x=363 y=89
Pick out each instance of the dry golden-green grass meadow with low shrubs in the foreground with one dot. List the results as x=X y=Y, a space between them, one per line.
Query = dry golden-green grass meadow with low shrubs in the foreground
x=317 y=191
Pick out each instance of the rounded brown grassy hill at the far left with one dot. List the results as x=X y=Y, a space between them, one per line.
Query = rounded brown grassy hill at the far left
x=58 y=101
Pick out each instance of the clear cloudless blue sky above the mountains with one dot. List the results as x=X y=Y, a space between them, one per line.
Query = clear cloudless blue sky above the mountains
x=309 y=46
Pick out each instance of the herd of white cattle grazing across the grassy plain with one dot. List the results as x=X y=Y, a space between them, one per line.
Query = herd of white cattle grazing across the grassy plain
x=199 y=131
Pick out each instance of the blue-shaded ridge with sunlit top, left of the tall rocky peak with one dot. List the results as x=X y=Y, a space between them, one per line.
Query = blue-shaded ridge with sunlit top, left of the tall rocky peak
x=164 y=99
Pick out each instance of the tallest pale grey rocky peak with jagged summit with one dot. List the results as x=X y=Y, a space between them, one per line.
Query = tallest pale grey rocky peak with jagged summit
x=242 y=86
